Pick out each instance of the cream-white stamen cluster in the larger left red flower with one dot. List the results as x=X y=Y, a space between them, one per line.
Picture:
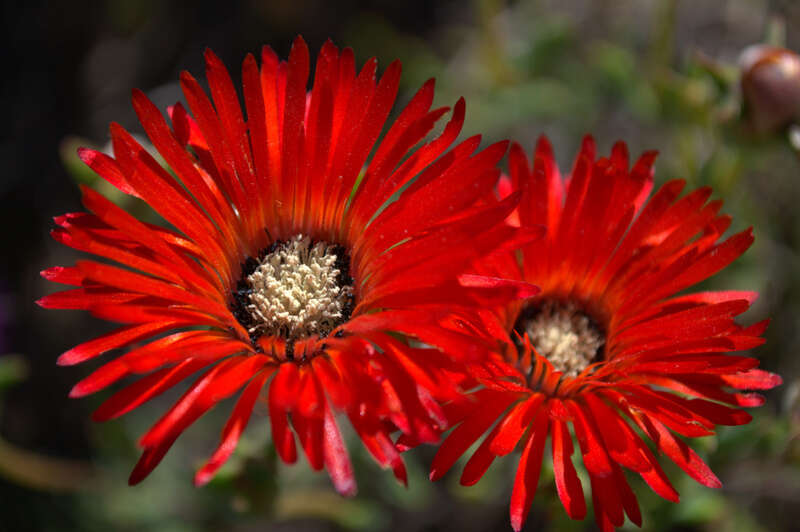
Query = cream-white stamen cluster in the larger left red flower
x=296 y=290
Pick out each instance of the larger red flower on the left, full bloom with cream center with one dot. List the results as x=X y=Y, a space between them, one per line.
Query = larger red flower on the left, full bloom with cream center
x=288 y=272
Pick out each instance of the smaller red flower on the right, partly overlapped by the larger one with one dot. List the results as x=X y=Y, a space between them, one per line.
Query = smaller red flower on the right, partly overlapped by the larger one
x=607 y=346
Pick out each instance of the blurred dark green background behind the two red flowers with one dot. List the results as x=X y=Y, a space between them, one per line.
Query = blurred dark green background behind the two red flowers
x=660 y=74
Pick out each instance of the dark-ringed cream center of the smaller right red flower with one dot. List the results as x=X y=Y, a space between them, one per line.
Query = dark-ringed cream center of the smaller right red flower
x=561 y=332
